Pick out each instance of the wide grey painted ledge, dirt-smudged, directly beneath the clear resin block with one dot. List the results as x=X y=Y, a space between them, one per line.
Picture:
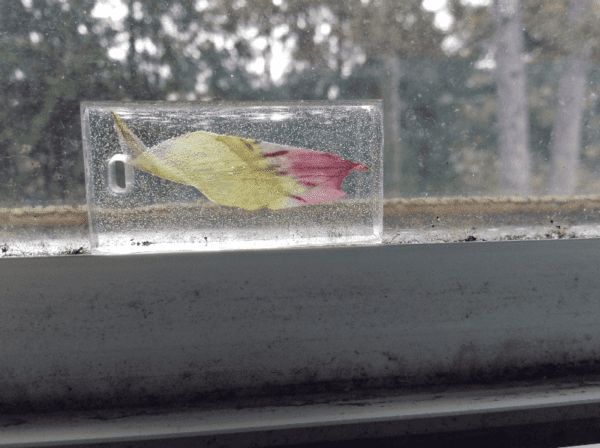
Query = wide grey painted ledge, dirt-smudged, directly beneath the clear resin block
x=90 y=331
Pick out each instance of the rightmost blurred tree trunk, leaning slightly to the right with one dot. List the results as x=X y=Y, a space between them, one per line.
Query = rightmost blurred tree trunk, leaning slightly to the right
x=566 y=139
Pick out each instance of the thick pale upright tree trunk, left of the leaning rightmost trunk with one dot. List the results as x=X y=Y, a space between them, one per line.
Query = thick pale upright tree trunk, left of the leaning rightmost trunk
x=515 y=158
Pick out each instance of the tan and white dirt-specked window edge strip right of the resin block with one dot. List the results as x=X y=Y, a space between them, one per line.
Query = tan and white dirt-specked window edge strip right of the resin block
x=476 y=219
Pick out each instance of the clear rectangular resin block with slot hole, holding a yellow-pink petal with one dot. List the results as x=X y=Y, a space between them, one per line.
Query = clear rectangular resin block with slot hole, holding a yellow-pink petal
x=164 y=177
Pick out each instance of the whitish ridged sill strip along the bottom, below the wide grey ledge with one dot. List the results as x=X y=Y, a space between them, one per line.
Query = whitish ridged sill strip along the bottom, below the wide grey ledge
x=545 y=412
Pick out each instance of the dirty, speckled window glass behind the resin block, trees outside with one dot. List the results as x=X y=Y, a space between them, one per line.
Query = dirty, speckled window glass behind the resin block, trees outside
x=491 y=108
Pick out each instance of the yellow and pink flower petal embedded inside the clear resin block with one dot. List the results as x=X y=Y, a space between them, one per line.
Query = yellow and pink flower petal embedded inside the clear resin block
x=240 y=172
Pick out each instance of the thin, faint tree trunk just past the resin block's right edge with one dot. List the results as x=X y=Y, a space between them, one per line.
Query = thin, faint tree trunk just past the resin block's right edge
x=391 y=115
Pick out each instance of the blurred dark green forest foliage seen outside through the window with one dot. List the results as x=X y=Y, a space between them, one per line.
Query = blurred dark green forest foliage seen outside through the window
x=55 y=54
